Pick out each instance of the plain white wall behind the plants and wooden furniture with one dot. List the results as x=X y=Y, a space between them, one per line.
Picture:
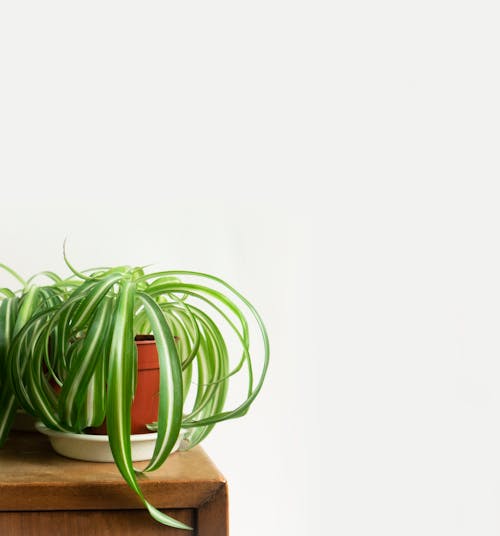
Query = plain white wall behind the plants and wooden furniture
x=338 y=163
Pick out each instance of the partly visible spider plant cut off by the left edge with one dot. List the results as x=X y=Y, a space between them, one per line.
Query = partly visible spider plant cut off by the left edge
x=16 y=309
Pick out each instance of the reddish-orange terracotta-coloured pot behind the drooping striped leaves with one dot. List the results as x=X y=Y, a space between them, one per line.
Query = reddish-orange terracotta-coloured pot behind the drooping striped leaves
x=145 y=403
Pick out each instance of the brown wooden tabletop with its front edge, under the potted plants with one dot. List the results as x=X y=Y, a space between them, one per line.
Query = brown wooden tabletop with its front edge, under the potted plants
x=34 y=477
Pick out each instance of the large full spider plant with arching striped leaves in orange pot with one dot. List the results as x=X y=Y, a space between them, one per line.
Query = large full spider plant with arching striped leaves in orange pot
x=74 y=364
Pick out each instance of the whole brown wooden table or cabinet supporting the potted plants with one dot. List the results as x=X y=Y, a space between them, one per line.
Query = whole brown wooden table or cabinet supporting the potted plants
x=42 y=493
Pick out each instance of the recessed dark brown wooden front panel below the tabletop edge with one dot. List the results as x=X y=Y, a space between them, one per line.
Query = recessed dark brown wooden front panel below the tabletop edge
x=92 y=523
